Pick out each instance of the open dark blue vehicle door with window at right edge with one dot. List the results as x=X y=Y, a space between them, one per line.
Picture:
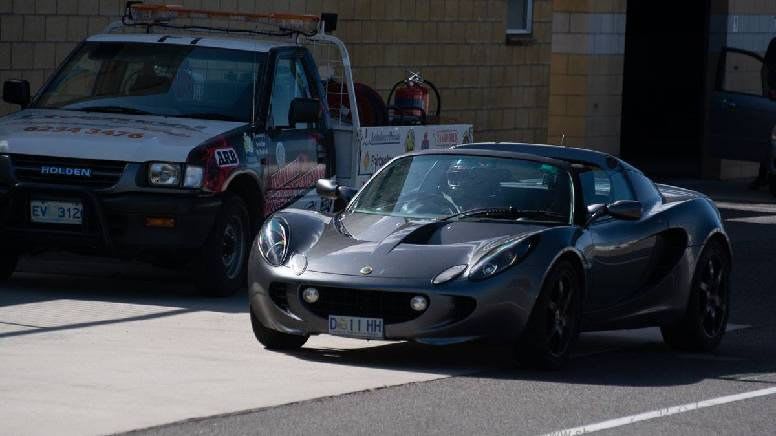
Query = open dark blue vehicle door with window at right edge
x=742 y=116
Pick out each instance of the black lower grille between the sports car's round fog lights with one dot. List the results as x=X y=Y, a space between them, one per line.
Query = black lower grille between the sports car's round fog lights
x=392 y=307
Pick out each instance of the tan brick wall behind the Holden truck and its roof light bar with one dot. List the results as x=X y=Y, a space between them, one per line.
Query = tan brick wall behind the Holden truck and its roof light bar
x=458 y=44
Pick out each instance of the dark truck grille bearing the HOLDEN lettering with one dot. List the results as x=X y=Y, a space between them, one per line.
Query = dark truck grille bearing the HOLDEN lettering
x=98 y=174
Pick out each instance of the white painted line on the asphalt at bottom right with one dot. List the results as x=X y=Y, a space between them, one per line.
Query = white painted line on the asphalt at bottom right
x=632 y=419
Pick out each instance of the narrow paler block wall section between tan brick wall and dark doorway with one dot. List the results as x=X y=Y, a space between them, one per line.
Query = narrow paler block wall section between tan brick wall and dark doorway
x=588 y=45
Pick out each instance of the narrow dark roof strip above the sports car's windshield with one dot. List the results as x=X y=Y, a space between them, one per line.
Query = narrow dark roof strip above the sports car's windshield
x=566 y=154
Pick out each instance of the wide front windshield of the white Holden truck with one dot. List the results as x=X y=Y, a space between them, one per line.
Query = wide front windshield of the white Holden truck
x=157 y=79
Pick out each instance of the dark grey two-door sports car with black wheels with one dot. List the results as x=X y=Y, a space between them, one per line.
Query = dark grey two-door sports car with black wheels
x=528 y=244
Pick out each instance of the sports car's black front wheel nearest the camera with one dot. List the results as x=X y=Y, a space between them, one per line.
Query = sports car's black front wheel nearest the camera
x=553 y=327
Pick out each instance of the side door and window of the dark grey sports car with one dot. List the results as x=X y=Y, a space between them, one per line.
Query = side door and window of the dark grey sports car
x=621 y=250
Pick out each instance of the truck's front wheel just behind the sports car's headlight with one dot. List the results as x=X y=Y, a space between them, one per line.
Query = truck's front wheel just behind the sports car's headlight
x=221 y=267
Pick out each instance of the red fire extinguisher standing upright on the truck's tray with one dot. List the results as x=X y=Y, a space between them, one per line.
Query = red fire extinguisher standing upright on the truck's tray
x=411 y=101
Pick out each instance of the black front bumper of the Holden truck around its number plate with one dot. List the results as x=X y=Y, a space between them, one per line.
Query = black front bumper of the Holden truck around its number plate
x=113 y=223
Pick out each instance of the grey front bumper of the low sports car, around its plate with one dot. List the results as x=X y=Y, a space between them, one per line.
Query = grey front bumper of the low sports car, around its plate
x=460 y=310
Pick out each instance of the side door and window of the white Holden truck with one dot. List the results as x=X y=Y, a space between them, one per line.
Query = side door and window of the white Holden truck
x=297 y=156
